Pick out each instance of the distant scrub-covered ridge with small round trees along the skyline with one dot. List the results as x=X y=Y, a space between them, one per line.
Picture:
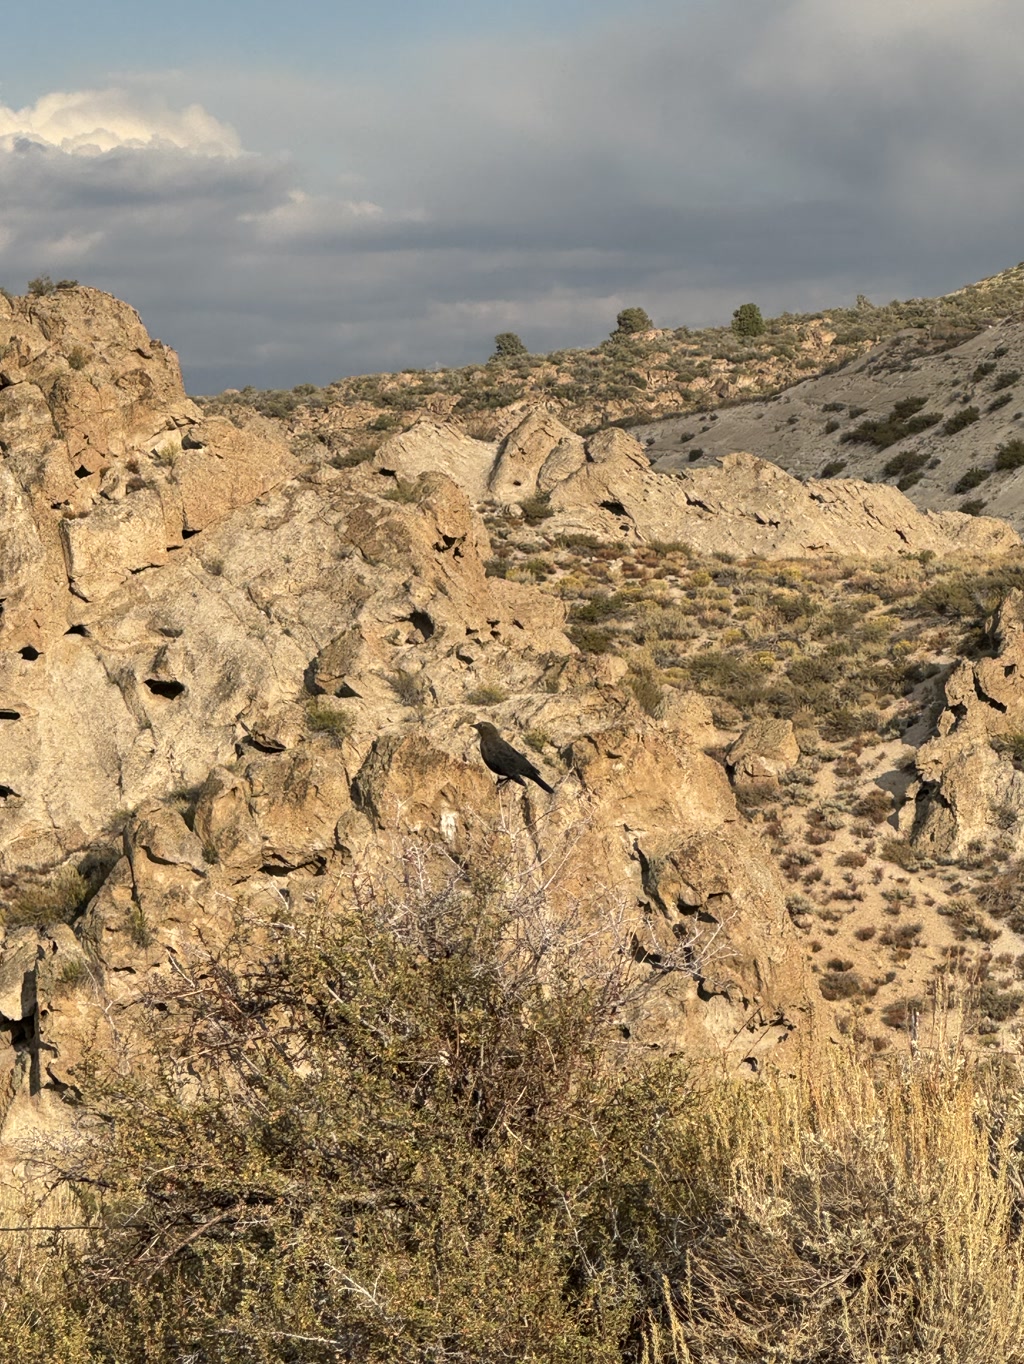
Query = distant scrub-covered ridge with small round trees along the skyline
x=629 y=379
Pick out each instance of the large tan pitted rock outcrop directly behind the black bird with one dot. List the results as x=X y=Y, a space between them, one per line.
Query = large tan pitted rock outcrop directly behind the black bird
x=249 y=688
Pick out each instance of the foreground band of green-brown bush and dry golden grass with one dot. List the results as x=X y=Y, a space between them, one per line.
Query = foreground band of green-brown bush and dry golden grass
x=414 y=1133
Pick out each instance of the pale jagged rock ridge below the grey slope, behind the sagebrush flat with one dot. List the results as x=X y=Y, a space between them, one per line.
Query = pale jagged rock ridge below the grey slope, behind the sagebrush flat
x=606 y=488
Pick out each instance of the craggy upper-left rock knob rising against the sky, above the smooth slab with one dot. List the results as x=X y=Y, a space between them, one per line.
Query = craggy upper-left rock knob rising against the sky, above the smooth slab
x=107 y=469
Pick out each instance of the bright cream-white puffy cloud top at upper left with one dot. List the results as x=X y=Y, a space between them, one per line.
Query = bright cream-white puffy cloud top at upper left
x=92 y=122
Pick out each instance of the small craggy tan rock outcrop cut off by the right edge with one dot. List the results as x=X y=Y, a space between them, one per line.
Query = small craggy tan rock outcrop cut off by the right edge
x=970 y=786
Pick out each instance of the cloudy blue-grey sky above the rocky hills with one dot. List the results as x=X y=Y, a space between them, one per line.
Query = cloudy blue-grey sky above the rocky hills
x=292 y=194
